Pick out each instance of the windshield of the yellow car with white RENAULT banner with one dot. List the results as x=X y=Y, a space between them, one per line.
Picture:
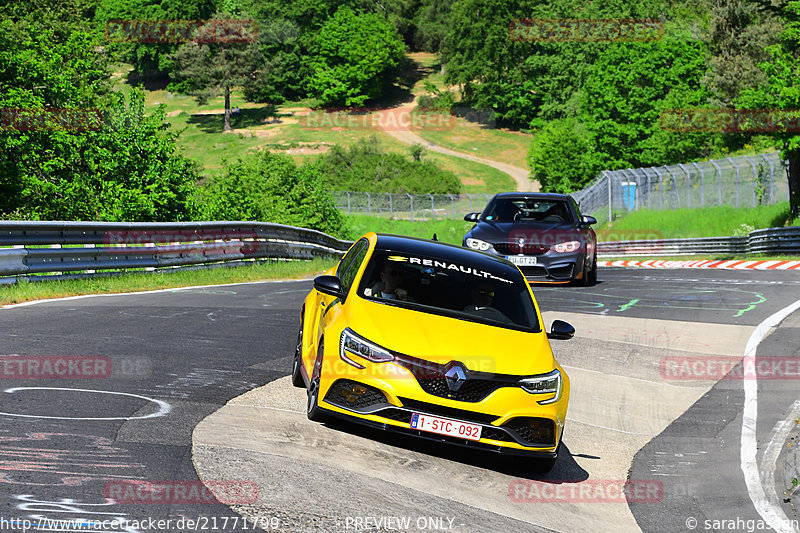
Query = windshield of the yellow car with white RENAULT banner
x=468 y=292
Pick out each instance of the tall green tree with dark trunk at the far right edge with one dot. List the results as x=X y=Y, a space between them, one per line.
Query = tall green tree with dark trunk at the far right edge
x=782 y=92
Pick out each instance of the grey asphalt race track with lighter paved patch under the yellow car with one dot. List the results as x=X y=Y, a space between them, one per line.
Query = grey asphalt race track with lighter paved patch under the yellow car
x=148 y=370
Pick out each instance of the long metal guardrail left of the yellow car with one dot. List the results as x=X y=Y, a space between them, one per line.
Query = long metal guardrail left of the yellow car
x=46 y=250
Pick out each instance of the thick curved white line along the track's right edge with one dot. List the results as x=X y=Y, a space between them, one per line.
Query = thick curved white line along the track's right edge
x=771 y=513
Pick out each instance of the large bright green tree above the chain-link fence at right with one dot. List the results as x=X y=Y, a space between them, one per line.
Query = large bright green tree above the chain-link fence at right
x=622 y=107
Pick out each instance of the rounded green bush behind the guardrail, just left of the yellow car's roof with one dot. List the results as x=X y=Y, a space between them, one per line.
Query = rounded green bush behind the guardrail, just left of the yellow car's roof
x=271 y=188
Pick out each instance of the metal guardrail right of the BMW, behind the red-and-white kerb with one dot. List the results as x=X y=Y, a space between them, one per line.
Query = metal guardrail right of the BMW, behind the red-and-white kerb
x=772 y=241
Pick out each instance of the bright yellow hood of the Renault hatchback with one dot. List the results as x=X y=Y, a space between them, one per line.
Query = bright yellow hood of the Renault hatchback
x=443 y=339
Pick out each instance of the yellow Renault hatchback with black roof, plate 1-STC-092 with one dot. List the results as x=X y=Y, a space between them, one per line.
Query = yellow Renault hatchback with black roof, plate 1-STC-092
x=437 y=341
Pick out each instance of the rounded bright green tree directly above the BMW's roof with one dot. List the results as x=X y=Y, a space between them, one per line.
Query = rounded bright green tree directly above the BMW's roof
x=560 y=157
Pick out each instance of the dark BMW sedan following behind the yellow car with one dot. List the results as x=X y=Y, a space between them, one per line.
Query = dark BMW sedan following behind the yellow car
x=544 y=234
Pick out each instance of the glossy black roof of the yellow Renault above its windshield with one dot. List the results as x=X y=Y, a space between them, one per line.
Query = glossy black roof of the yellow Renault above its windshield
x=443 y=251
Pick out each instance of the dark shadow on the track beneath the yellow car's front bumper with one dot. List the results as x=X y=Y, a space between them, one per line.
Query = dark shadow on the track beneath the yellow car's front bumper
x=566 y=469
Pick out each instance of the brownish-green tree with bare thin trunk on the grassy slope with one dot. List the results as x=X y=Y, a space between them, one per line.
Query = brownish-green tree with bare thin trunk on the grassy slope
x=208 y=69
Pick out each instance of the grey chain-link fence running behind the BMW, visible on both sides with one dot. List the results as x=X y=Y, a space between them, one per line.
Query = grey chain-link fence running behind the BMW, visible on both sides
x=735 y=181
